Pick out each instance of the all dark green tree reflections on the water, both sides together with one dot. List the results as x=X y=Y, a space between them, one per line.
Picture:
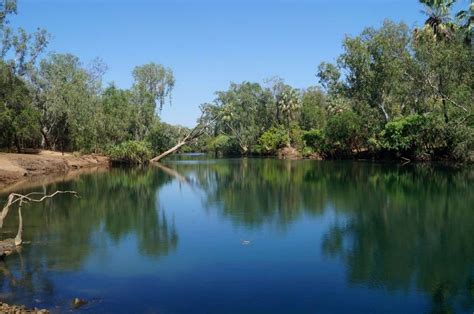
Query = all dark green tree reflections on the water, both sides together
x=394 y=228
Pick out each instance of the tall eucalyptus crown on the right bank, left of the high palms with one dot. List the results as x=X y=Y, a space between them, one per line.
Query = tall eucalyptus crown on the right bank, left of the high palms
x=375 y=63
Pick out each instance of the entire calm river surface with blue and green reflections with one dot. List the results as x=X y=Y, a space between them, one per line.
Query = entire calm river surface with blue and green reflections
x=250 y=236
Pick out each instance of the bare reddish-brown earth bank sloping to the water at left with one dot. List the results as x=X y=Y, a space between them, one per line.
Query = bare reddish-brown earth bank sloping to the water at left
x=16 y=168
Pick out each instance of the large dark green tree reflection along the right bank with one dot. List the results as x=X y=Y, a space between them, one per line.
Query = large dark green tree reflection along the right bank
x=401 y=227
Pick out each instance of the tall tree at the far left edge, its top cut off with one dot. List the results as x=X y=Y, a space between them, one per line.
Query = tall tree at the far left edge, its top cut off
x=18 y=54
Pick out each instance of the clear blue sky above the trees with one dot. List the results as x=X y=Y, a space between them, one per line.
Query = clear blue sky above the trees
x=210 y=43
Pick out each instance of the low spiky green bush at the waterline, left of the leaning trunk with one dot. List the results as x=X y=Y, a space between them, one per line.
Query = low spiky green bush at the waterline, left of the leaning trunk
x=132 y=152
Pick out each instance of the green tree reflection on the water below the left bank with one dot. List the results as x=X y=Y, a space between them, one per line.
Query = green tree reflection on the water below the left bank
x=64 y=233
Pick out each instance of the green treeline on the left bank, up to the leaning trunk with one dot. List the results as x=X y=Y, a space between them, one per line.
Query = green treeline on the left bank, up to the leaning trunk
x=58 y=103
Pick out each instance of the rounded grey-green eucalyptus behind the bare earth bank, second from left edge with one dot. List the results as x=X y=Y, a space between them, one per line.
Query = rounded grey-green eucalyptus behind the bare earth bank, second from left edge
x=68 y=103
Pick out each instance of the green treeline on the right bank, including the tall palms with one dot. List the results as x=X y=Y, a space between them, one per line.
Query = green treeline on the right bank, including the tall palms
x=394 y=92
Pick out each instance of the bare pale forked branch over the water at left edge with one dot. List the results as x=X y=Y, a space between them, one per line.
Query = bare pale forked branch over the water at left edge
x=8 y=246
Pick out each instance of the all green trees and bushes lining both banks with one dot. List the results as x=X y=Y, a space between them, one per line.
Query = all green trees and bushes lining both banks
x=394 y=92
